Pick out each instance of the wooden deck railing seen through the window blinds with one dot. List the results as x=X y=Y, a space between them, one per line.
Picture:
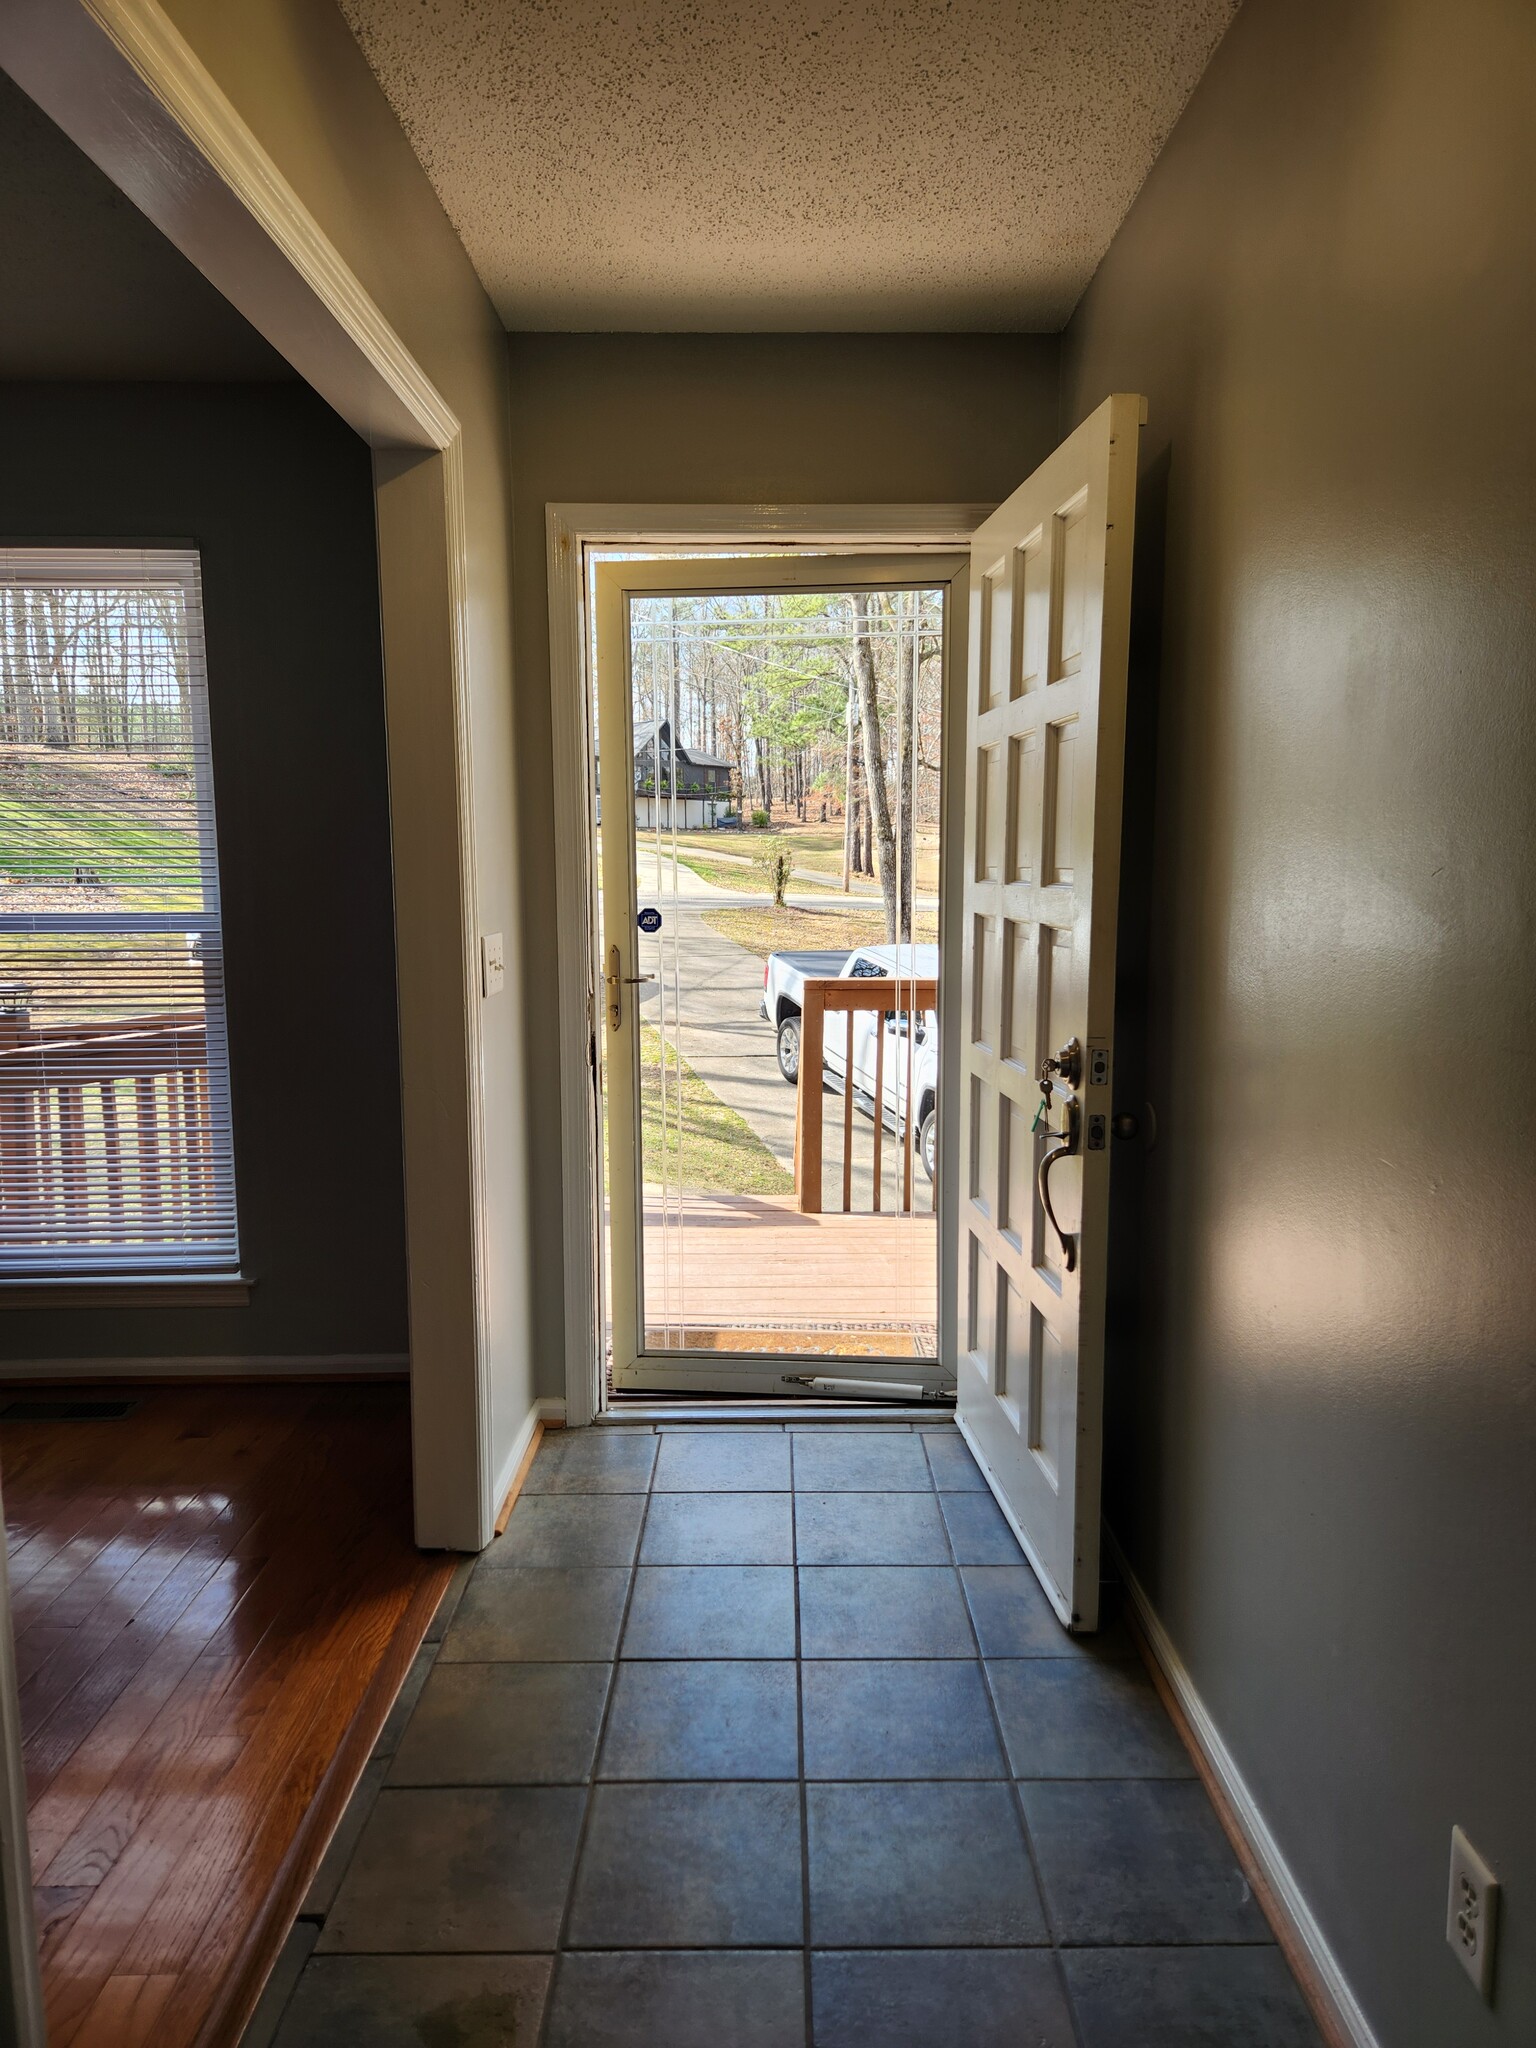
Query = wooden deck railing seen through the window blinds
x=105 y=1134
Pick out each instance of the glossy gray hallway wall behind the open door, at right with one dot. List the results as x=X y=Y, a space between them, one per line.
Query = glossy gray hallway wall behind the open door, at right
x=1324 y=1424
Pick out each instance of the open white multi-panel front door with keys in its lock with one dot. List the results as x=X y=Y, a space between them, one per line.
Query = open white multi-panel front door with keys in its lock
x=1043 y=763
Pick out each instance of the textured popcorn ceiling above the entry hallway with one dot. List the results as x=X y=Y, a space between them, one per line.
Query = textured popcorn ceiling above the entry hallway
x=792 y=165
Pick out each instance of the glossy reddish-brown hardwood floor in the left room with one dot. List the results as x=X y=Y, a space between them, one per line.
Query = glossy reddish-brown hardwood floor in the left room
x=214 y=1601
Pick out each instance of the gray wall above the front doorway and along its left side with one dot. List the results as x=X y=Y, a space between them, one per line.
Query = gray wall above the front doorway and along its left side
x=728 y=419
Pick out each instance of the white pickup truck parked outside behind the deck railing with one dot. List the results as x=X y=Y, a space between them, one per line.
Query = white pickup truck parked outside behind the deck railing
x=783 y=998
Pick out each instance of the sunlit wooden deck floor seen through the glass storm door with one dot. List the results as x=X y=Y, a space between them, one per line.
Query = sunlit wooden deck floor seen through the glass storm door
x=749 y=1273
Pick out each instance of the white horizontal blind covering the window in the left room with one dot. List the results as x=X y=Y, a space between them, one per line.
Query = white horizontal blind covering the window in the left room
x=116 y=1150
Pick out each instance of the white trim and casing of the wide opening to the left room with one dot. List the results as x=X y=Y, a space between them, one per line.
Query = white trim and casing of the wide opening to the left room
x=122 y=81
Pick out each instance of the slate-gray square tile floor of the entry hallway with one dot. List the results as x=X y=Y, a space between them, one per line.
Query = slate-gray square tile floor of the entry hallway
x=765 y=1738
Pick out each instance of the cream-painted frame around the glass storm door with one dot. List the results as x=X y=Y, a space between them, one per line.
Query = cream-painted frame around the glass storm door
x=572 y=534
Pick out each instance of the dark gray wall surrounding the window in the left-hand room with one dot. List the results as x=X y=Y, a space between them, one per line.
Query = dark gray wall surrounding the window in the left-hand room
x=278 y=497
